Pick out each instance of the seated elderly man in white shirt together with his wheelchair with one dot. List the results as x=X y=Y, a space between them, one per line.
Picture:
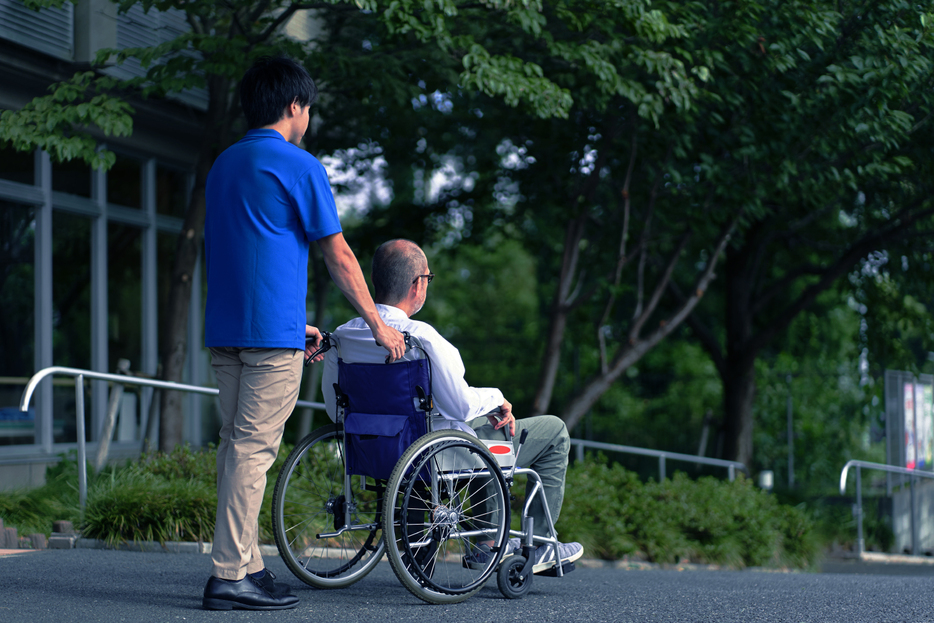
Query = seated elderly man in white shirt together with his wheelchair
x=443 y=507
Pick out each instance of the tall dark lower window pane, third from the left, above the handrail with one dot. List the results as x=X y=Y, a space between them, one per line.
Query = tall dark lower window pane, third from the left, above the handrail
x=124 y=278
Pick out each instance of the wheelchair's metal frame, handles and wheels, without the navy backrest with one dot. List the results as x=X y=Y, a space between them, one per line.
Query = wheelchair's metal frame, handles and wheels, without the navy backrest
x=331 y=527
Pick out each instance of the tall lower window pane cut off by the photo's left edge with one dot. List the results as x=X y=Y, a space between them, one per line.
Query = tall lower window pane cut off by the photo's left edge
x=17 y=289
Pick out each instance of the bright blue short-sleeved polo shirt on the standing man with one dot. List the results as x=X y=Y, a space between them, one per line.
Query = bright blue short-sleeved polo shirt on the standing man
x=266 y=200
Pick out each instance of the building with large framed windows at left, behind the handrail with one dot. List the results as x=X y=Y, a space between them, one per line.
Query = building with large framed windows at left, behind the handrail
x=85 y=255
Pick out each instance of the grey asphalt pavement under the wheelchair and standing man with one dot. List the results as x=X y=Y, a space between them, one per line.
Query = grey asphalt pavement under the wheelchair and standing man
x=107 y=586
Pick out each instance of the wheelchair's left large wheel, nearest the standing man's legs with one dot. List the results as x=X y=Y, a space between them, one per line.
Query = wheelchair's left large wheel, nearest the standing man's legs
x=327 y=526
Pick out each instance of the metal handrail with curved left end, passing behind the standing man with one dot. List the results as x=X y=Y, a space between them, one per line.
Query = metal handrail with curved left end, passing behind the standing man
x=79 y=376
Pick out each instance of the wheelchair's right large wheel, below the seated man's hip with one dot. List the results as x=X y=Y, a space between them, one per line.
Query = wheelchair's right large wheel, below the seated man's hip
x=445 y=495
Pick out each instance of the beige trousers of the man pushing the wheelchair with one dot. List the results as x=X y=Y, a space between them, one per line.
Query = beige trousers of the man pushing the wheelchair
x=258 y=389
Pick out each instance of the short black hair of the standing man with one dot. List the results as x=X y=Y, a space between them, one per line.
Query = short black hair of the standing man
x=270 y=85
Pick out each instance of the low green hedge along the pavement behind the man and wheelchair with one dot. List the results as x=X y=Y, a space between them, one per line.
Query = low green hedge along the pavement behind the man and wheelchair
x=607 y=508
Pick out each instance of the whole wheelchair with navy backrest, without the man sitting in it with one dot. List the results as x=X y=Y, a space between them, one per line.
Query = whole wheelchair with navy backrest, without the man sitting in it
x=377 y=482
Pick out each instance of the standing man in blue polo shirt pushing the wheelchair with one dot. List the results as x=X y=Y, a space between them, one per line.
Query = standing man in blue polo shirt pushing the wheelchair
x=266 y=200
